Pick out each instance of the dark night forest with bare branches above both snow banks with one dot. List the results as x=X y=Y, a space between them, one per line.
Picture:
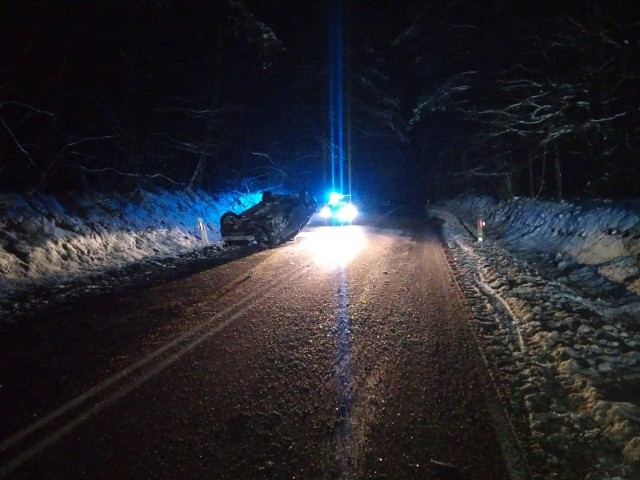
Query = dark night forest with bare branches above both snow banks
x=440 y=98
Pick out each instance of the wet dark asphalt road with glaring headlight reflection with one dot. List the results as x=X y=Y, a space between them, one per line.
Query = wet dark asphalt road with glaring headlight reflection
x=343 y=354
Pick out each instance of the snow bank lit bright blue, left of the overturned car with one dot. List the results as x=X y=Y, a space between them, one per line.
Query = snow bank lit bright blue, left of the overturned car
x=44 y=238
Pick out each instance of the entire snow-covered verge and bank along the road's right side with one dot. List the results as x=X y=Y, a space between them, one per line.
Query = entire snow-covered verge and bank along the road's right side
x=563 y=341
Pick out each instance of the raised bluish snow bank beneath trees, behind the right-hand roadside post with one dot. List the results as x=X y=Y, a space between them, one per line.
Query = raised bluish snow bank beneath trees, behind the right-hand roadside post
x=599 y=234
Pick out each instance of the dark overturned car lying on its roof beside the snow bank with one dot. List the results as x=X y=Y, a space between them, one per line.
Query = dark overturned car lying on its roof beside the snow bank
x=274 y=220
